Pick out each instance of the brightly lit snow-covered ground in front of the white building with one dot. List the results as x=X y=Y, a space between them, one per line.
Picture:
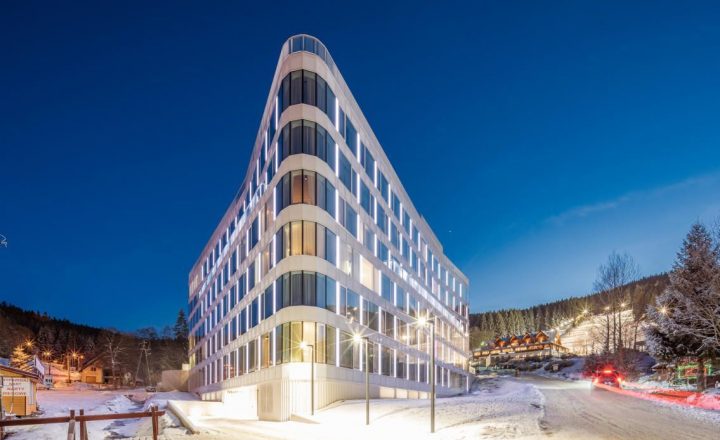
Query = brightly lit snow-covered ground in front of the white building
x=496 y=408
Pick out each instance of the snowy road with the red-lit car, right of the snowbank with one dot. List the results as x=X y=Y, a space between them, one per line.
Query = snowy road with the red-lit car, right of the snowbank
x=574 y=411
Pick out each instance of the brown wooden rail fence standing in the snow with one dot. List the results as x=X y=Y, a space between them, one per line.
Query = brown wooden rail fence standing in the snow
x=77 y=424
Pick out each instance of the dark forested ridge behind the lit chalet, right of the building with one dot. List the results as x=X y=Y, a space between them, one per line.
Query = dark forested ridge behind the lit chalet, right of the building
x=487 y=325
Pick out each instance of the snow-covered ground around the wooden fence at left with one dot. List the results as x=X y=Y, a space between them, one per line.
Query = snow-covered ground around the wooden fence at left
x=59 y=402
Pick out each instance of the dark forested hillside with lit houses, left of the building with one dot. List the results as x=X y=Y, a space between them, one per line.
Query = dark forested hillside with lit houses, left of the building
x=59 y=337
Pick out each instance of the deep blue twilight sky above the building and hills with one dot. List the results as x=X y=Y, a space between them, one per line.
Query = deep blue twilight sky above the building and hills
x=535 y=137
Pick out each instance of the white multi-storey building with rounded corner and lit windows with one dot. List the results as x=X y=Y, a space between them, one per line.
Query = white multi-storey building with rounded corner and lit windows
x=321 y=243
